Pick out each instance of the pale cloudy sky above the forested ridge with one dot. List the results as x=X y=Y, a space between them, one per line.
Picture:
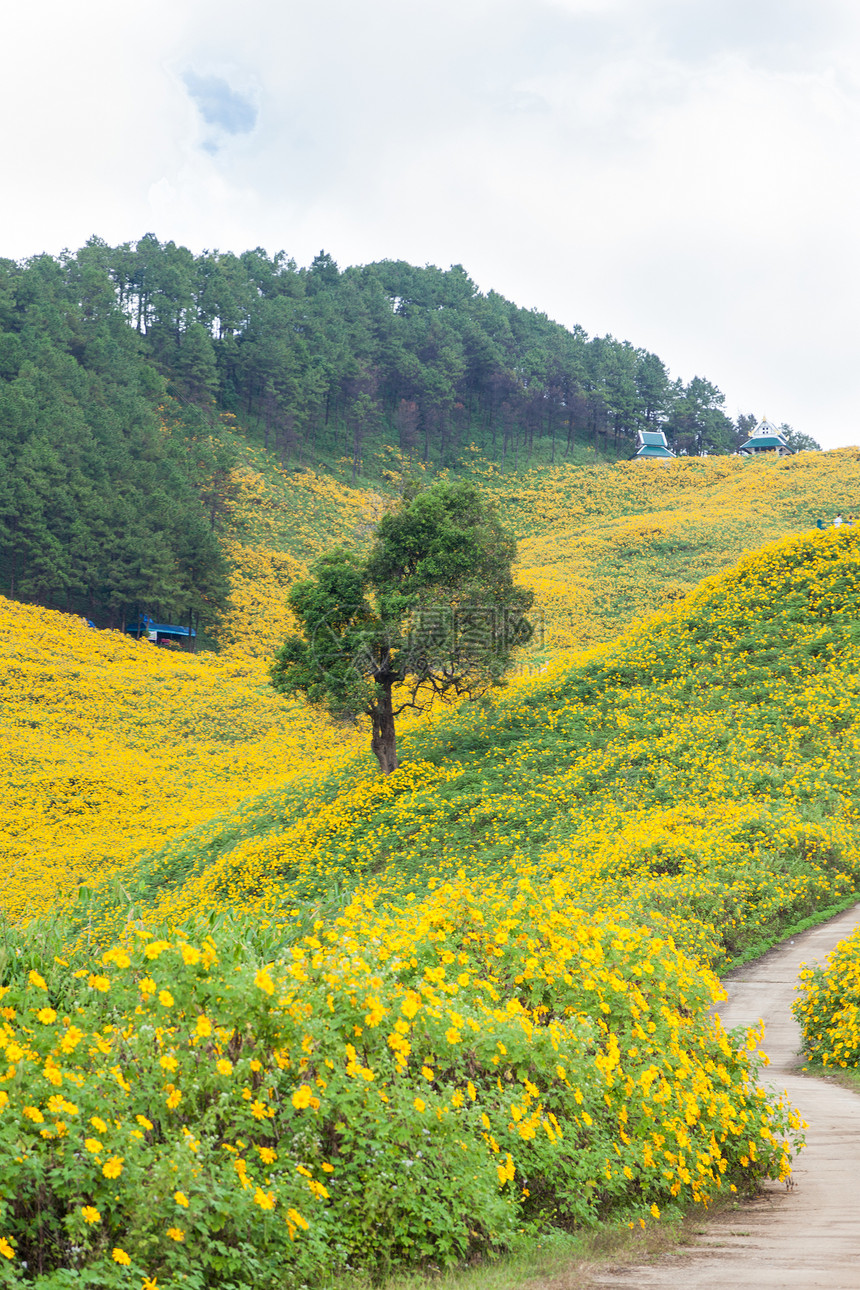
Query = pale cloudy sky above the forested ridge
x=681 y=175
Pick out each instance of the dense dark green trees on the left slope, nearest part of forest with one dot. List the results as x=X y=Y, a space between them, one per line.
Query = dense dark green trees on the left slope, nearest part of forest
x=99 y=509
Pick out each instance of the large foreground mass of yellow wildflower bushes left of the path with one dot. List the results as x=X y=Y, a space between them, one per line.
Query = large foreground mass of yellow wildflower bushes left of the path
x=396 y=1088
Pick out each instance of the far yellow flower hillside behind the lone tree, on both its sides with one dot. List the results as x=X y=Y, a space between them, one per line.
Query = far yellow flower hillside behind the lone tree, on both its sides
x=114 y=749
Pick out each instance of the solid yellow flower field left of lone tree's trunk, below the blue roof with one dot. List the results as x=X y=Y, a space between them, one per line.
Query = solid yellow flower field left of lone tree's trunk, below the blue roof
x=110 y=748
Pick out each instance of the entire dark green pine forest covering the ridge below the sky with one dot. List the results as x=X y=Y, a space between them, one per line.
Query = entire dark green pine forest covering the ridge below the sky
x=117 y=366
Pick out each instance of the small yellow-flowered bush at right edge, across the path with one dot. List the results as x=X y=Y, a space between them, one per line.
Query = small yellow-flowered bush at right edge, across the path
x=828 y=1007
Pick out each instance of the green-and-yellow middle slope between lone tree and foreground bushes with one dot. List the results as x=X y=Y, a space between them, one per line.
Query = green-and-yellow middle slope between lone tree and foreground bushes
x=699 y=773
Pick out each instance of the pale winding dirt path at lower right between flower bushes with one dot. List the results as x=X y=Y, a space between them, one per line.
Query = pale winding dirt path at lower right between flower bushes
x=809 y=1236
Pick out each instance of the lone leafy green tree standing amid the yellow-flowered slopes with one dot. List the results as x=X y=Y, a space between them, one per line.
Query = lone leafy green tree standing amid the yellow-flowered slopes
x=433 y=612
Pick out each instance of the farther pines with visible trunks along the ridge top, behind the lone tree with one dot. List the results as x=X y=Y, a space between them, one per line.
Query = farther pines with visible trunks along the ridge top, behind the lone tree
x=319 y=362
